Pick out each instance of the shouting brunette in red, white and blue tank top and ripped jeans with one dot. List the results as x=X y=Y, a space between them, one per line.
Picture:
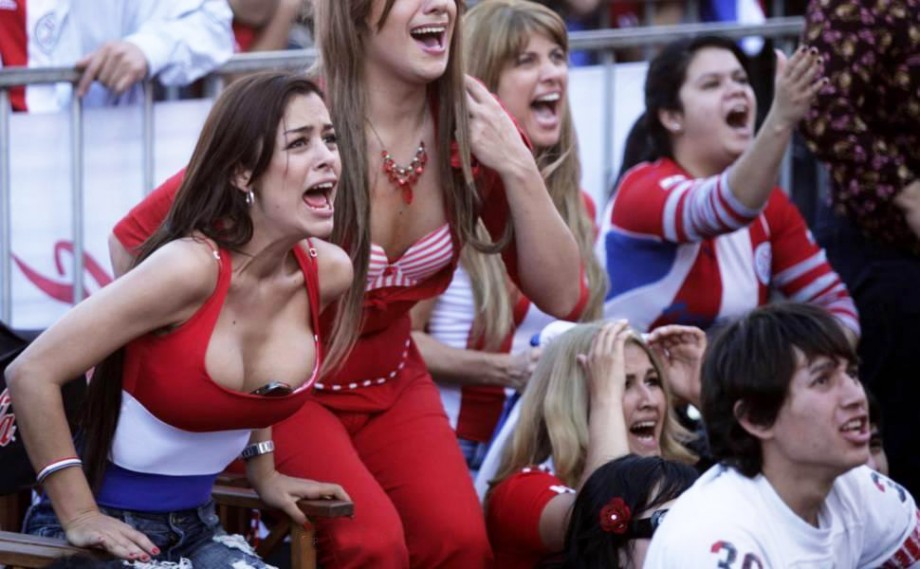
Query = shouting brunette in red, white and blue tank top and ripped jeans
x=191 y=340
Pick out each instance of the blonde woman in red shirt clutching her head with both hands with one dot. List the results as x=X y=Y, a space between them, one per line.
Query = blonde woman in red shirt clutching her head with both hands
x=599 y=392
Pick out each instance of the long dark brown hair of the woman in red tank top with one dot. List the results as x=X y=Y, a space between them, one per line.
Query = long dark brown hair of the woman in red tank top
x=238 y=135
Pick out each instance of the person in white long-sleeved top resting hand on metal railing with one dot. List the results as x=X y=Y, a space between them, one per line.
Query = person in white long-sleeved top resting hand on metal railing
x=116 y=43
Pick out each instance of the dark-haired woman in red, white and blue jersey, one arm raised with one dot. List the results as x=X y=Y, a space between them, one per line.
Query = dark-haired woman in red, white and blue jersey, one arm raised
x=699 y=234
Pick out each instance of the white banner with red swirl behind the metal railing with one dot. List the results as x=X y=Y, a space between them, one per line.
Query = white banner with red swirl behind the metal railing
x=42 y=241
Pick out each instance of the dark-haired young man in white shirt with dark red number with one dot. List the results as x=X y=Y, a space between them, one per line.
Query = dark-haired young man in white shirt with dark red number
x=788 y=423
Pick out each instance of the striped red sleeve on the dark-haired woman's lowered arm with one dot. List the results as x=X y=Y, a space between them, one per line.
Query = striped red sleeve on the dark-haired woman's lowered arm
x=800 y=267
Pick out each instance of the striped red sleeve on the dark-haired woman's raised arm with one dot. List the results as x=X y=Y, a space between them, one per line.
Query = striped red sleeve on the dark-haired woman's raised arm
x=661 y=200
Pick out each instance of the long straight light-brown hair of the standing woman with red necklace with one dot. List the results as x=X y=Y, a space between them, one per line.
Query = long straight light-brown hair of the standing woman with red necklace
x=341 y=31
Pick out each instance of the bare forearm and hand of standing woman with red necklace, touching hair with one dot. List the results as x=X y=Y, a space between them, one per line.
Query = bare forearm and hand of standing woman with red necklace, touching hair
x=547 y=262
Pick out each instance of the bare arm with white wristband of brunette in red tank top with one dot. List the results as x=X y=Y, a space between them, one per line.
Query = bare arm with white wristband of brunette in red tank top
x=164 y=290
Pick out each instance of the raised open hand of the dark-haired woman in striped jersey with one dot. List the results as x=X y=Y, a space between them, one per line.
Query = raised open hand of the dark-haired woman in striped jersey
x=798 y=80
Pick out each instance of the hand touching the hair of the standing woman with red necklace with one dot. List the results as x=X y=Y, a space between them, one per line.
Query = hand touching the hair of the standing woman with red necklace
x=494 y=139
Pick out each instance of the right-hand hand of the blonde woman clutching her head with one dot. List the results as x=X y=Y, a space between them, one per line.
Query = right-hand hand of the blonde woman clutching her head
x=681 y=350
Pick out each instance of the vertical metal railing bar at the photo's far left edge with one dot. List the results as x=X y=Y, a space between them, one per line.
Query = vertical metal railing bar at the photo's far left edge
x=6 y=218
